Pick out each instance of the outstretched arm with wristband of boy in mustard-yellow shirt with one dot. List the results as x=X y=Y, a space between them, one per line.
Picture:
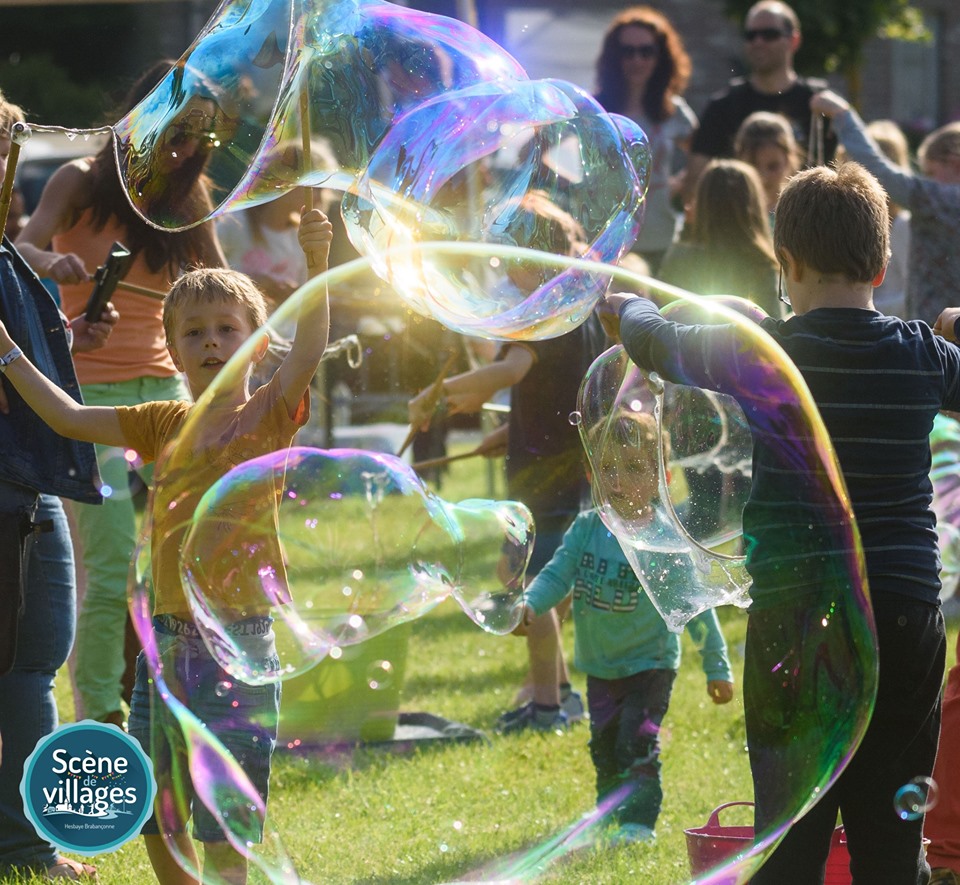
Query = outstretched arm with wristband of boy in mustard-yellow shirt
x=97 y=424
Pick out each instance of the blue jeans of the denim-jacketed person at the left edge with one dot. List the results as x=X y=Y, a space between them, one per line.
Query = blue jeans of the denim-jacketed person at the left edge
x=28 y=710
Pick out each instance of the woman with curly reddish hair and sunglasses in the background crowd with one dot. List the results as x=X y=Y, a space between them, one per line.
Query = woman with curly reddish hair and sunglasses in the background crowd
x=641 y=73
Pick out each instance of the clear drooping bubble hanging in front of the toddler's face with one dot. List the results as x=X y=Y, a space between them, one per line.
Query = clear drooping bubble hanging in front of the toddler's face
x=671 y=469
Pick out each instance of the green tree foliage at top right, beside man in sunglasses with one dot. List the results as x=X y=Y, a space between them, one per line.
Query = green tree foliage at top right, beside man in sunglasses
x=835 y=31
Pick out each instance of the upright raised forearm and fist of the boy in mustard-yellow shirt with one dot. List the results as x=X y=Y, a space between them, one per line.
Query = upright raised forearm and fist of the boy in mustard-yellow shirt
x=313 y=323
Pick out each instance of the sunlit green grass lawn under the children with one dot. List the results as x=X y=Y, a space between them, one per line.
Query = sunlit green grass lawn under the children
x=437 y=814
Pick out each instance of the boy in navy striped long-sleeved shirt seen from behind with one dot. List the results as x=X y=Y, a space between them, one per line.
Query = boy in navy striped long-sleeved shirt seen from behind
x=878 y=382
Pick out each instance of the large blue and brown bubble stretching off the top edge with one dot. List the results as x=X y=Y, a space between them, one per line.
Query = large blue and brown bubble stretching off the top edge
x=236 y=95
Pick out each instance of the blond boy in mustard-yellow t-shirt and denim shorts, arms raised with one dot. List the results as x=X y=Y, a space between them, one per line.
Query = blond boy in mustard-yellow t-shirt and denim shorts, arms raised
x=208 y=315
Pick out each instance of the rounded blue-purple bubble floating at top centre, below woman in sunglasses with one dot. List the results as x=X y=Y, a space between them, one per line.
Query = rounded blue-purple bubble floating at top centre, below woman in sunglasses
x=534 y=164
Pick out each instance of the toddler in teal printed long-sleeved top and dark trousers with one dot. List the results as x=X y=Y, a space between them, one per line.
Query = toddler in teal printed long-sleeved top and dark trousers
x=622 y=643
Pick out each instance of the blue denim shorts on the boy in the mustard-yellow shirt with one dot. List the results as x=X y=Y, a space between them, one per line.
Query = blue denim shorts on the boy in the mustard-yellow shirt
x=243 y=717
